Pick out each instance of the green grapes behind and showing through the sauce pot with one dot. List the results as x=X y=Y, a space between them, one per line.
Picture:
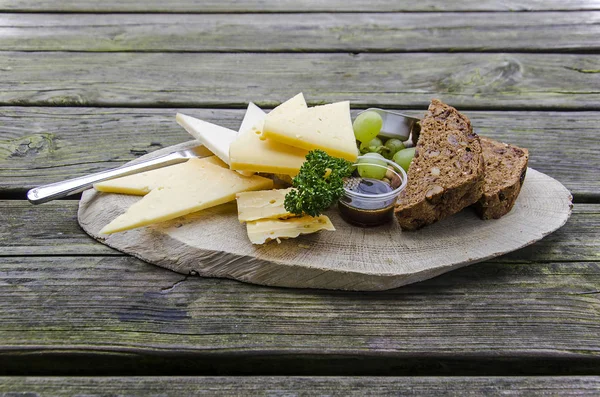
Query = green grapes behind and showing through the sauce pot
x=366 y=131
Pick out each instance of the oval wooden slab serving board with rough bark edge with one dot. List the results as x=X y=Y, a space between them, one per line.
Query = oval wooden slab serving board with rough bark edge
x=212 y=243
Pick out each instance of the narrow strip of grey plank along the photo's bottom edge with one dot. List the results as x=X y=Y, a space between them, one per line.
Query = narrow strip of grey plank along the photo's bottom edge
x=301 y=386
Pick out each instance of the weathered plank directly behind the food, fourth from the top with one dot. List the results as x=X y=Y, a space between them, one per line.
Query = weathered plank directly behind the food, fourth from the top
x=43 y=145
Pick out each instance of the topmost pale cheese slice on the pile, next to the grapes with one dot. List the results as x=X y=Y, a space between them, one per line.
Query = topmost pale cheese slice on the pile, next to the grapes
x=326 y=127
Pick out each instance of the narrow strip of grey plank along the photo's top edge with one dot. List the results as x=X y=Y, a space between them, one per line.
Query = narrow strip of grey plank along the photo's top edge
x=292 y=5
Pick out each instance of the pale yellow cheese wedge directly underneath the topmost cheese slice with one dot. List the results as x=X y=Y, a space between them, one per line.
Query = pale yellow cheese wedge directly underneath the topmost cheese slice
x=252 y=152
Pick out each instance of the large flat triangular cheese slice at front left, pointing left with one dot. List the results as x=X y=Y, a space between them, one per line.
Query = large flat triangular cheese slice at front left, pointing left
x=199 y=185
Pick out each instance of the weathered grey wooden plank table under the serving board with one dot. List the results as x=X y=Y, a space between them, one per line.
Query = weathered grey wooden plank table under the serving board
x=86 y=86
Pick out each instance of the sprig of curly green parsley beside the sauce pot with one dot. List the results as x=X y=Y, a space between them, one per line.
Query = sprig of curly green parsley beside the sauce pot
x=318 y=185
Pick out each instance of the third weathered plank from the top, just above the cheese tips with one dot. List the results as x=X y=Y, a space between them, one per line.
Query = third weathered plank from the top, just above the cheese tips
x=467 y=81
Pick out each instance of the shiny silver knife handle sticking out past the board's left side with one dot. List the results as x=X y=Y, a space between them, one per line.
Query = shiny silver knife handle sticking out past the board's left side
x=53 y=191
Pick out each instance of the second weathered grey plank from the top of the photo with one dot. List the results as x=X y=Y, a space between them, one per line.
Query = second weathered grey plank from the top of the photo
x=350 y=32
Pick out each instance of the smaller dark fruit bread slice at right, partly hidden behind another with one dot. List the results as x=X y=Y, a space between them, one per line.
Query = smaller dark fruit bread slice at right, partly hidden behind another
x=505 y=168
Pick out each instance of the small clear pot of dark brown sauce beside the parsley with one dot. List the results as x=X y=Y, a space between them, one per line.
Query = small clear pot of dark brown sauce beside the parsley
x=370 y=202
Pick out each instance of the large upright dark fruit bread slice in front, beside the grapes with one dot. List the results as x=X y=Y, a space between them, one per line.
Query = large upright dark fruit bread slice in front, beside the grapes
x=447 y=172
